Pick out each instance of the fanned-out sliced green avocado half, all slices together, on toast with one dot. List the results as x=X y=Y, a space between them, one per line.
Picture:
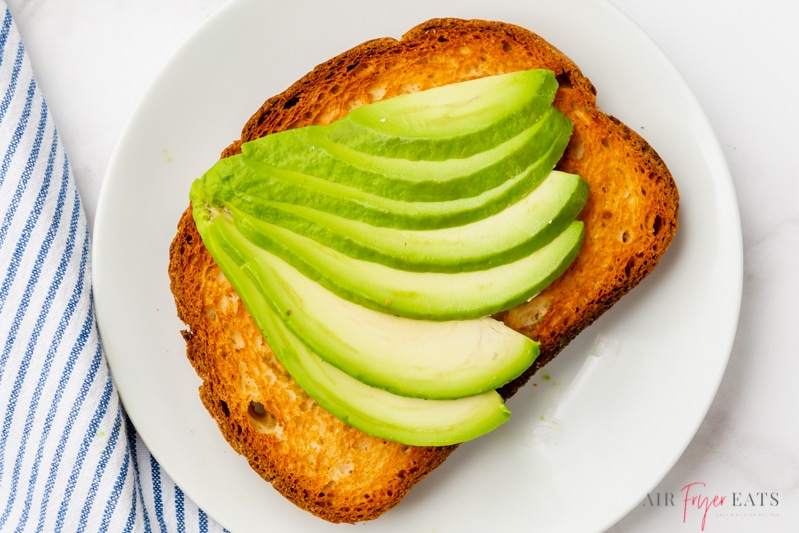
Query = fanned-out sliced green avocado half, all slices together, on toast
x=373 y=251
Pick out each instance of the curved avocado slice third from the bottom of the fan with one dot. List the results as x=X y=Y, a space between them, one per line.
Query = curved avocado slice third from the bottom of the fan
x=423 y=295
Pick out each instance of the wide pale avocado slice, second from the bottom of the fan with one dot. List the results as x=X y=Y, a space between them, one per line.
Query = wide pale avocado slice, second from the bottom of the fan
x=418 y=358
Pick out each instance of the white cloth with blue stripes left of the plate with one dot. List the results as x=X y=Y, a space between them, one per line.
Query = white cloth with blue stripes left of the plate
x=69 y=459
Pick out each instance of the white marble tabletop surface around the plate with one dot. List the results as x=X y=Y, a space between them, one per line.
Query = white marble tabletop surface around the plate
x=96 y=58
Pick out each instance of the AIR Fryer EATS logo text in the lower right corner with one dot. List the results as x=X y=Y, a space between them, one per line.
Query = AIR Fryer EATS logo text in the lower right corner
x=699 y=504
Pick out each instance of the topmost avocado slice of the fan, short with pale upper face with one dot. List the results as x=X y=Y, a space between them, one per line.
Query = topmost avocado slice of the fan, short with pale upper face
x=453 y=121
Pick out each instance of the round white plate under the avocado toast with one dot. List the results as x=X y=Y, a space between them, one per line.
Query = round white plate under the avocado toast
x=598 y=428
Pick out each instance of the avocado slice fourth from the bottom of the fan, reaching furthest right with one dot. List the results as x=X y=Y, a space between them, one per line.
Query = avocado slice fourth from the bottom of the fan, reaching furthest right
x=501 y=238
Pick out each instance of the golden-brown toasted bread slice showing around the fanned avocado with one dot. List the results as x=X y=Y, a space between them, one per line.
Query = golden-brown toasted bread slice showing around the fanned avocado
x=312 y=458
